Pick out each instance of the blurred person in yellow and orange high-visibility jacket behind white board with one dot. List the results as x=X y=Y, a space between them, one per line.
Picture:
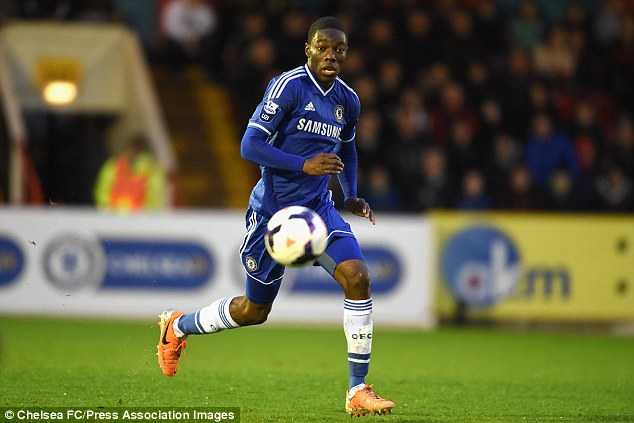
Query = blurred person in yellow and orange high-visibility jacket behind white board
x=132 y=180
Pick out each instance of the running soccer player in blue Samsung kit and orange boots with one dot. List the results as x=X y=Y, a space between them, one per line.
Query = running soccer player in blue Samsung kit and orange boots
x=302 y=132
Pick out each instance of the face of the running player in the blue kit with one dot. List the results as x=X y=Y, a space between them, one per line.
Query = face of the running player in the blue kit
x=326 y=53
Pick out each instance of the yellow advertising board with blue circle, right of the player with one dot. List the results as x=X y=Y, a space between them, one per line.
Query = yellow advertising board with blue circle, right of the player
x=540 y=267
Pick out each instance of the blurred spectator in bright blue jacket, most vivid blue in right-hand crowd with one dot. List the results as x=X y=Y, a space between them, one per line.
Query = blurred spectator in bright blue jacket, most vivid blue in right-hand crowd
x=547 y=151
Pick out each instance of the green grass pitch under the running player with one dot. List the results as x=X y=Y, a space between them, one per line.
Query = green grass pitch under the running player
x=298 y=374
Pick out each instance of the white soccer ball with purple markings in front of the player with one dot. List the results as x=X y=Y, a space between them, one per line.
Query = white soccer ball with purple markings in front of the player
x=295 y=236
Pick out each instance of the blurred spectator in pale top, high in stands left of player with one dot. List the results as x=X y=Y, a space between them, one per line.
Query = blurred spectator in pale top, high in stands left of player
x=189 y=26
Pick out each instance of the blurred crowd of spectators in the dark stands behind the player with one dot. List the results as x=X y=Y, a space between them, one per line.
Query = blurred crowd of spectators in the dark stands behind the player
x=471 y=104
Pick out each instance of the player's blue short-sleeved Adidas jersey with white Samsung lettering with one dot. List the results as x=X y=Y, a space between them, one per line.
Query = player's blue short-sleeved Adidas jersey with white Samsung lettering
x=300 y=118
